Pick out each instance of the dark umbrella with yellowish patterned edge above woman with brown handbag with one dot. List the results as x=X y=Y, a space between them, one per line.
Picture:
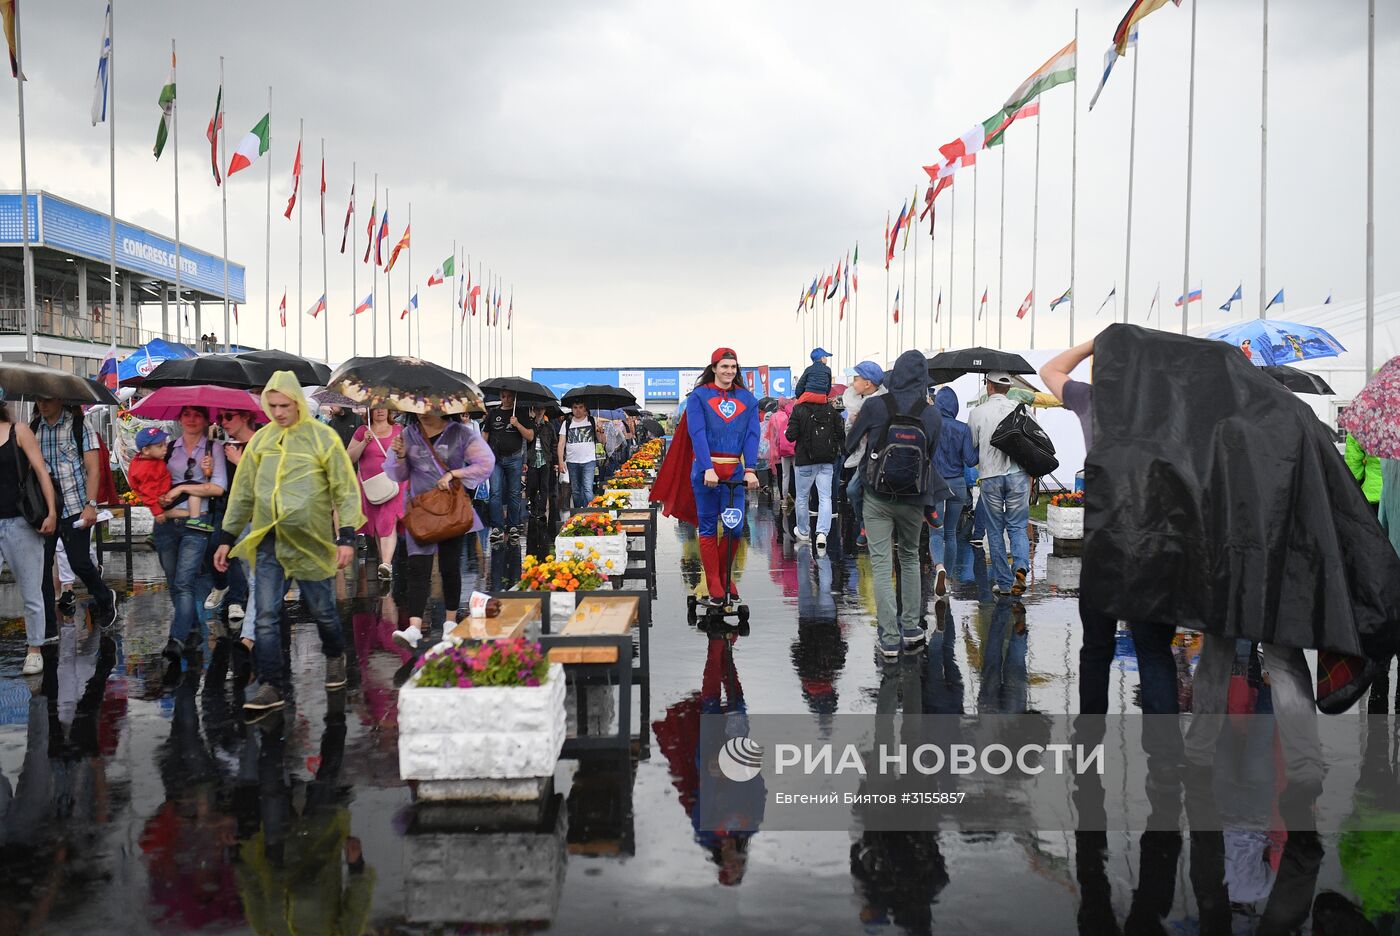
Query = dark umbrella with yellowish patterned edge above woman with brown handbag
x=409 y=385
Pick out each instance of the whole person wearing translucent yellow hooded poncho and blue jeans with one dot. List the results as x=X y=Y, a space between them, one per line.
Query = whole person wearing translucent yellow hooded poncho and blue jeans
x=293 y=479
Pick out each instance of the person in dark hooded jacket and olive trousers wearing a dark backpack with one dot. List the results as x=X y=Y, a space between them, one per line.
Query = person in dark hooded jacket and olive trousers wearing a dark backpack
x=902 y=492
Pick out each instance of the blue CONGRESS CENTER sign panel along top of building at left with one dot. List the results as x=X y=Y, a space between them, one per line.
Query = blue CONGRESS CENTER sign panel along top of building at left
x=85 y=233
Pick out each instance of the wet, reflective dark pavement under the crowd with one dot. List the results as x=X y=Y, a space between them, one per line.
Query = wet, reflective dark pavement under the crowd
x=136 y=800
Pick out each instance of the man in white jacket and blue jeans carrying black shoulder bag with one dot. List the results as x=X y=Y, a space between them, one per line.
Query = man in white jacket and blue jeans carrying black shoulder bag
x=1006 y=490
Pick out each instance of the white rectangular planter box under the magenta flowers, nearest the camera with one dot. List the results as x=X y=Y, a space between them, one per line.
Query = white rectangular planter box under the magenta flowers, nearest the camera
x=482 y=742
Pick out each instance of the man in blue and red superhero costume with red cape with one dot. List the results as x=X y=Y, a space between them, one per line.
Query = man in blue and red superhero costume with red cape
x=716 y=440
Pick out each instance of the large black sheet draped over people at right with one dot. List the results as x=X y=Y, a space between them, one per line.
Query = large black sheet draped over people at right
x=1216 y=500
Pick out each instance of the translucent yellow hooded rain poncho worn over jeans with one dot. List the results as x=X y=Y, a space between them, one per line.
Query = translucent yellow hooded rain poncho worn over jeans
x=299 y=483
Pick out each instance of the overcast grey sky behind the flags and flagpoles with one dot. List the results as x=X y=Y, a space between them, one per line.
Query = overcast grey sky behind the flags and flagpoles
x=660 y=178
